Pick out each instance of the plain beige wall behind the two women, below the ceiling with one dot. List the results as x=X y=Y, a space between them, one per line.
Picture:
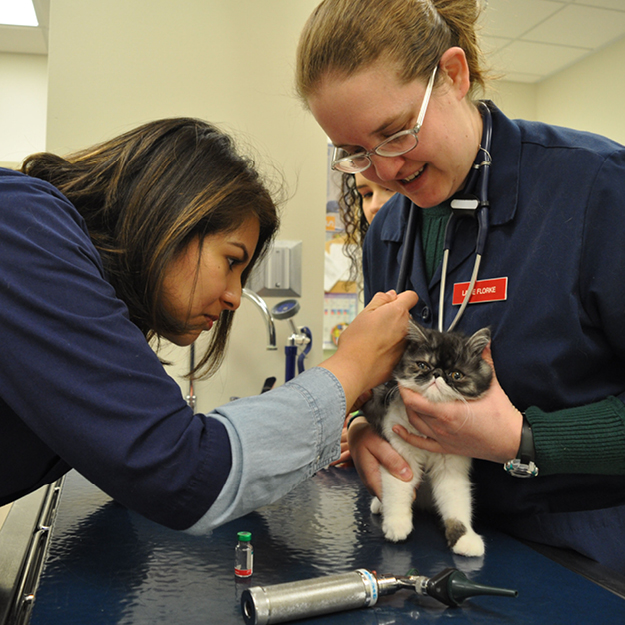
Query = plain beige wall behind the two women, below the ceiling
x=115 y=64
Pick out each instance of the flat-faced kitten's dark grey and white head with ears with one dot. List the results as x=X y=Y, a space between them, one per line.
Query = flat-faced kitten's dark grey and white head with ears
x=444 y=366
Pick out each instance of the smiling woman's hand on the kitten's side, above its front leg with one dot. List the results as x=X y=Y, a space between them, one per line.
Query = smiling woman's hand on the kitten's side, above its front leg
x=369 y=451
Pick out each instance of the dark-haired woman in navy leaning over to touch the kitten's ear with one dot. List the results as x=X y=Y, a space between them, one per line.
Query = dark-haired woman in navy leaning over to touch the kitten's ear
x=153 y=234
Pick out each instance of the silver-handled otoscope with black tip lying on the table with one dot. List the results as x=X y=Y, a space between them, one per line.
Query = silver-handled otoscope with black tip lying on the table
x=281 y=603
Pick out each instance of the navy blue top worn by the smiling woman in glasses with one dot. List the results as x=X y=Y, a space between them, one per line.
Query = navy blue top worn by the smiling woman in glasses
x=557 y=233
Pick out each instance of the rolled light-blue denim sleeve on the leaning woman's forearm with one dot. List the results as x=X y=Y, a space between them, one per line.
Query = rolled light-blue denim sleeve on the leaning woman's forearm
x=278 y=439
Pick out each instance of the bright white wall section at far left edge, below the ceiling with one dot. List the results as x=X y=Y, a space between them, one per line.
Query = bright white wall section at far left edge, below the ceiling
x=23 y=97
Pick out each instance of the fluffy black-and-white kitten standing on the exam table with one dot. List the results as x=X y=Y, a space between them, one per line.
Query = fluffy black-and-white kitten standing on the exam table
x=442 y=366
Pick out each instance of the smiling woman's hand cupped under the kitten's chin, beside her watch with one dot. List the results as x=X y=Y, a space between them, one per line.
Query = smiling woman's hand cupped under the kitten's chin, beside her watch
x=488 y=428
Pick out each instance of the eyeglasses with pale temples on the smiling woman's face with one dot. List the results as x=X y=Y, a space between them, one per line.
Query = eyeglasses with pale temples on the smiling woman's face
x=396 y=145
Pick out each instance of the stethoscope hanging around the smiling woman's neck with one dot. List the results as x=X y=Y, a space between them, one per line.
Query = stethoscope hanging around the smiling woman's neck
x=472 y=202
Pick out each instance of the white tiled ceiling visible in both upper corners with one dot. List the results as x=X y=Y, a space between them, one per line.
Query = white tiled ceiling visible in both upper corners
x=526 y=40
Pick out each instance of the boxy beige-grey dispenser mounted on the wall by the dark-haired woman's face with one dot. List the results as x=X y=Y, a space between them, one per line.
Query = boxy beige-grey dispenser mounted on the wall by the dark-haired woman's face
x=280 y=273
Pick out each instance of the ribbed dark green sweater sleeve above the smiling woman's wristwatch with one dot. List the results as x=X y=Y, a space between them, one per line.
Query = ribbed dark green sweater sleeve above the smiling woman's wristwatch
x=586 y=439
